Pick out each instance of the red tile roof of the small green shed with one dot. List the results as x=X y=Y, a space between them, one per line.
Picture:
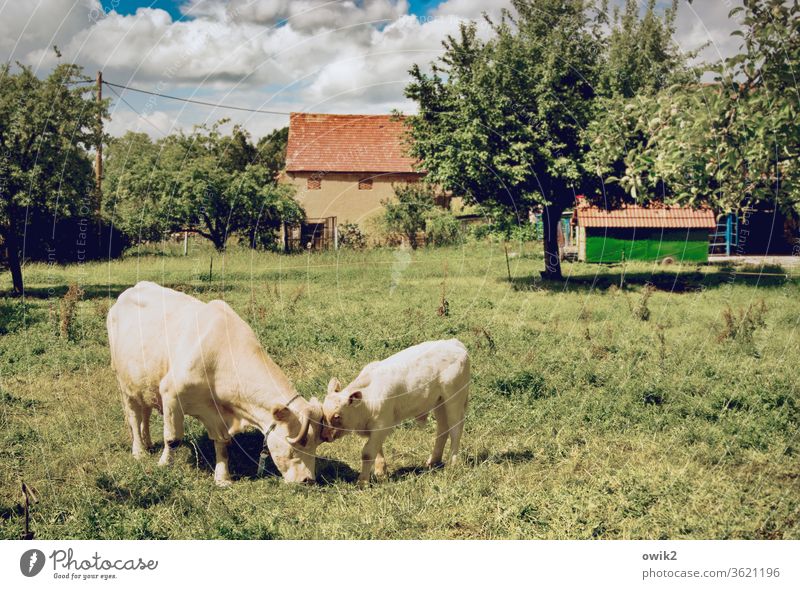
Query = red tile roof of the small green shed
x=638 y=216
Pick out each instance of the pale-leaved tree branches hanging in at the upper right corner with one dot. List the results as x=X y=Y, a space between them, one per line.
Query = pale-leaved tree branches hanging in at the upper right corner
x=730 y=144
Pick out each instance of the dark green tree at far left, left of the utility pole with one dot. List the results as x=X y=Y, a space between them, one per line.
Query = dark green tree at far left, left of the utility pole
x=46 y=129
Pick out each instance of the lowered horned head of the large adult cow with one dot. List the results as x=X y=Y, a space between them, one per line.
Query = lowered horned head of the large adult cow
x=293 y=443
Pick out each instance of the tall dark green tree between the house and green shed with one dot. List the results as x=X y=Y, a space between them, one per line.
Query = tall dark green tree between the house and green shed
x=500 y=120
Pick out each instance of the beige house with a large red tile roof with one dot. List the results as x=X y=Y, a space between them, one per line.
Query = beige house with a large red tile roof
x=343 y=167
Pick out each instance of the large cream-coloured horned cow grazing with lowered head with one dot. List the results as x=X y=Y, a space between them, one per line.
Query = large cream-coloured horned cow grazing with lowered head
x=181 y=356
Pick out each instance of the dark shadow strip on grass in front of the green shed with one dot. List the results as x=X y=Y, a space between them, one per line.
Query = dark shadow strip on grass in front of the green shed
x=664 y=281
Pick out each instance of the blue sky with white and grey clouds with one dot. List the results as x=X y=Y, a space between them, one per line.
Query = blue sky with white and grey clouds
x=335 y=56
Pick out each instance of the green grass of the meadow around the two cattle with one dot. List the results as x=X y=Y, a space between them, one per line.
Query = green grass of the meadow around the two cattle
x=585 y=420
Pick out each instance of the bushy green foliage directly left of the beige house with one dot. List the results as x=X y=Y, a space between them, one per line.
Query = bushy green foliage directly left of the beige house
x=205 y=182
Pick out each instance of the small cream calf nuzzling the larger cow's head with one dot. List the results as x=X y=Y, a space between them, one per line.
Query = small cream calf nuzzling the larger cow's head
x=432 y=376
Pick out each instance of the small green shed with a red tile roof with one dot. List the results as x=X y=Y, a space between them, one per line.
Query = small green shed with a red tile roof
x=643 y=233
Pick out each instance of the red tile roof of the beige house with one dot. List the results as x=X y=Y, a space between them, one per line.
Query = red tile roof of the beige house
x=346 y=143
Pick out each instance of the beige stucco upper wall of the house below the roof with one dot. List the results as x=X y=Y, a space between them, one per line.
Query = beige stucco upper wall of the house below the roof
x=340 y=197
